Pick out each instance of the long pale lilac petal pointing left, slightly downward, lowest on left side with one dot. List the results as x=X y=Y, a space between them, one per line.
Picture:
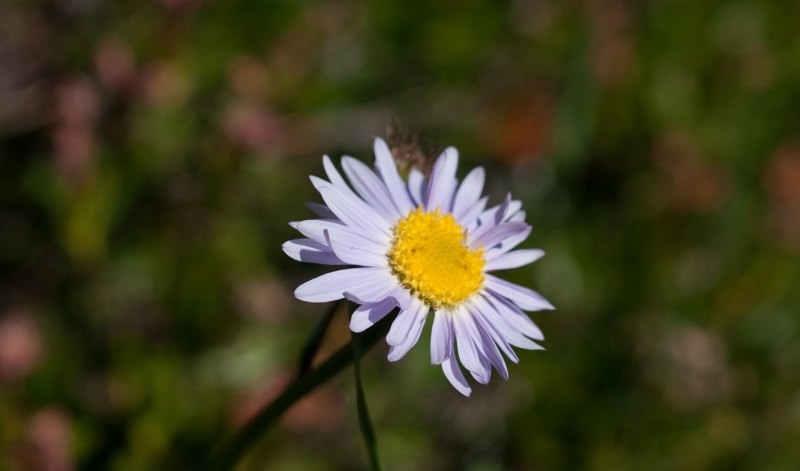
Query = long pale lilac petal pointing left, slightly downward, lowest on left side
x=332 y=286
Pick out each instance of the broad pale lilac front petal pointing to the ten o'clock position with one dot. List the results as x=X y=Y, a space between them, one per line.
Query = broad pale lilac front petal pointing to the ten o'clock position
x=356 y=214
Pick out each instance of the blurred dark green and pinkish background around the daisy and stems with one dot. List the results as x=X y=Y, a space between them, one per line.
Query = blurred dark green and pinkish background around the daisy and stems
x=153 y=152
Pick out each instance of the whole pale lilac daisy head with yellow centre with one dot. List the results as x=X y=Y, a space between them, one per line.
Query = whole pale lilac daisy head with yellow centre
x=426 y=247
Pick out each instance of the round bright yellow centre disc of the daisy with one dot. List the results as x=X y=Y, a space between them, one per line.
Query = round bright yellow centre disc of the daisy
x=430 y=258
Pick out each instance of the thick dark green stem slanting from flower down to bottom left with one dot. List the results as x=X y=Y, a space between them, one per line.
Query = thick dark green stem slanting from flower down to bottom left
x=232 y=449
